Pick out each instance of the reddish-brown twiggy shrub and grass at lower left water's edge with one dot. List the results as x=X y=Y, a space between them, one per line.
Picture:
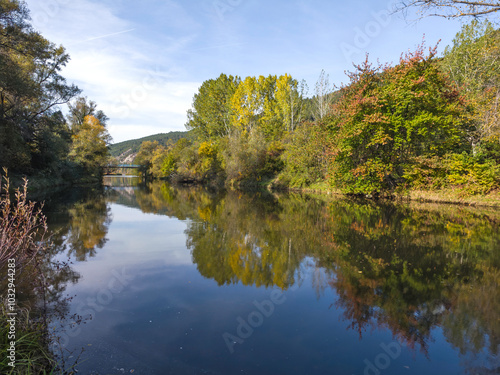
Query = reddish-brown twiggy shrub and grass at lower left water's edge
x=23 y=229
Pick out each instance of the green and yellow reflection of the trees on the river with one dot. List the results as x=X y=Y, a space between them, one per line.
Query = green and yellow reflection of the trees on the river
x=405 y=269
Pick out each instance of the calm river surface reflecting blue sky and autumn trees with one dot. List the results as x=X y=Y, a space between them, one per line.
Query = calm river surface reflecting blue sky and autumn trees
x=172 y=280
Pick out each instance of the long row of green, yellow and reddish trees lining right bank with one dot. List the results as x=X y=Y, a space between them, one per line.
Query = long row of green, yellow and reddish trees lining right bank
x=427 y=122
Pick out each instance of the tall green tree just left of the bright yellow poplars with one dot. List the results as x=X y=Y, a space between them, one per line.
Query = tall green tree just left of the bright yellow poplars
x=211 y=113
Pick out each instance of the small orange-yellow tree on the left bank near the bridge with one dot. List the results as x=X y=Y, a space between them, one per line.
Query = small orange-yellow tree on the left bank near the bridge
x=90 y=145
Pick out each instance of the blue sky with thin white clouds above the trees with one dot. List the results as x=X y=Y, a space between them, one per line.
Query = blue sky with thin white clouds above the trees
x=142 y=61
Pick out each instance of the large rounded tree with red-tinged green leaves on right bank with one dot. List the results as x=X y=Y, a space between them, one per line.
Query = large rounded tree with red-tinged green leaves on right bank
x=388 y=116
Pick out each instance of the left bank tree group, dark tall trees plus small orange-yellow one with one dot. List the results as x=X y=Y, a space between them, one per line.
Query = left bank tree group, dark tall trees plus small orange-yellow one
x=35 y=137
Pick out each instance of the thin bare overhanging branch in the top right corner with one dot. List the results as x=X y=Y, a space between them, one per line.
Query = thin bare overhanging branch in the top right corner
x=451 y=8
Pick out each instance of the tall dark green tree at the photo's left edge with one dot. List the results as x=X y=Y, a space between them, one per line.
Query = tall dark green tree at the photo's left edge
x=31 y=87
